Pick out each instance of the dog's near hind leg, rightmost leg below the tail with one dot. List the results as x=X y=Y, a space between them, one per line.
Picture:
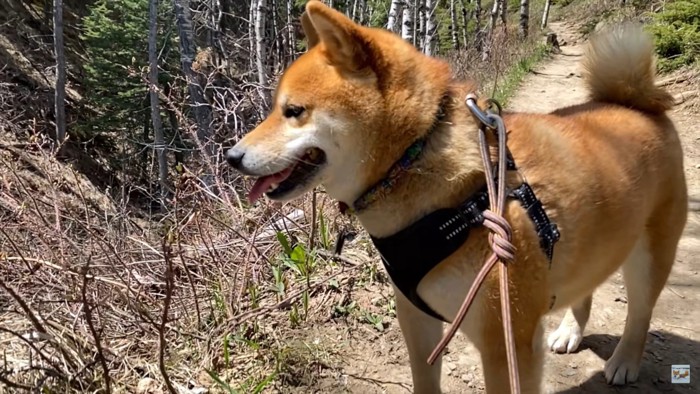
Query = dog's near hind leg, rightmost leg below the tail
x=645 y=273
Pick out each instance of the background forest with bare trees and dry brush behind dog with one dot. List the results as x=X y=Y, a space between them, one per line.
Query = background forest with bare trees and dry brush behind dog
x=127 y=251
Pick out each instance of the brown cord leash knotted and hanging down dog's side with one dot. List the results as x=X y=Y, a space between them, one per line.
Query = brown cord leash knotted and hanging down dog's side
x=499 y=238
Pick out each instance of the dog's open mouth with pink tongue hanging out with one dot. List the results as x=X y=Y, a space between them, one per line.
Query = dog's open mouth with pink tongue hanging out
x=297 y=175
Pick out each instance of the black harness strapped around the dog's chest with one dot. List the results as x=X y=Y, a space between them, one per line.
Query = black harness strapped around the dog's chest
x=414 y=251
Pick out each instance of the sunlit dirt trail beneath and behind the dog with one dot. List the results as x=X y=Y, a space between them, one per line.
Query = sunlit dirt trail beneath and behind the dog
x=373 y=362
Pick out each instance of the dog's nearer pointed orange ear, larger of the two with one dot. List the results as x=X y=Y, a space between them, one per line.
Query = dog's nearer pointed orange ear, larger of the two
x=340 y=36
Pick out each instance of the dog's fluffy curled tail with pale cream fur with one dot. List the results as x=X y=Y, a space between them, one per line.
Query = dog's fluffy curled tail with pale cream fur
x=619 y=68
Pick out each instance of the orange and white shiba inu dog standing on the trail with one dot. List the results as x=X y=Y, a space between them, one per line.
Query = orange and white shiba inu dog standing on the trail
x=608 y=172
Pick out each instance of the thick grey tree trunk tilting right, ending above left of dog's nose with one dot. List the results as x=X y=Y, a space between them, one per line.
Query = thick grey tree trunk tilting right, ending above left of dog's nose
x=201 y=108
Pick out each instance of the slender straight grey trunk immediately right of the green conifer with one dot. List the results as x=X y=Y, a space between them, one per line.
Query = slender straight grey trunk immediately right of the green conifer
x=159 y=141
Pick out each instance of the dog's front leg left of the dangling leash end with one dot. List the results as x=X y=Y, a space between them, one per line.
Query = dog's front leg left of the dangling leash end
x=421 y=333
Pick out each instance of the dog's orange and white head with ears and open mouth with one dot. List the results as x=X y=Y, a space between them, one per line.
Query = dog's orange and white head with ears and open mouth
x=340 y=112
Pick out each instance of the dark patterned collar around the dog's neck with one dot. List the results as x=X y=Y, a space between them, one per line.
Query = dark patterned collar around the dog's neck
x=410 y=156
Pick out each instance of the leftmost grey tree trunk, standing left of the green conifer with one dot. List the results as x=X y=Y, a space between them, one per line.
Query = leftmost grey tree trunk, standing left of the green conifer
x=60 y=89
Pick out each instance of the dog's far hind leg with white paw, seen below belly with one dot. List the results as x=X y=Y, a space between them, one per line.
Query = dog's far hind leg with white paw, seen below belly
x=570 y=332
